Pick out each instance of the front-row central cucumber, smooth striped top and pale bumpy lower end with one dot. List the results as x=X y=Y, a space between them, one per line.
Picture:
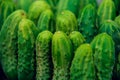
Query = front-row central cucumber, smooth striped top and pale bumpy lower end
x=61 y=56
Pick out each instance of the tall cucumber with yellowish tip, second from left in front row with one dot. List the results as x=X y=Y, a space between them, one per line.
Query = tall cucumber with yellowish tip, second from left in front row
x=26 y=44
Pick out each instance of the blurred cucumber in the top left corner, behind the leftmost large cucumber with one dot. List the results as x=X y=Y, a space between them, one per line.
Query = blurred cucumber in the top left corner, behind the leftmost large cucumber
x=6 y=8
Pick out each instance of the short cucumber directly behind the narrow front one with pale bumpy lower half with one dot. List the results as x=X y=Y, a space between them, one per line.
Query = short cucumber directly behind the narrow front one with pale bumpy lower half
x=46 y=21
